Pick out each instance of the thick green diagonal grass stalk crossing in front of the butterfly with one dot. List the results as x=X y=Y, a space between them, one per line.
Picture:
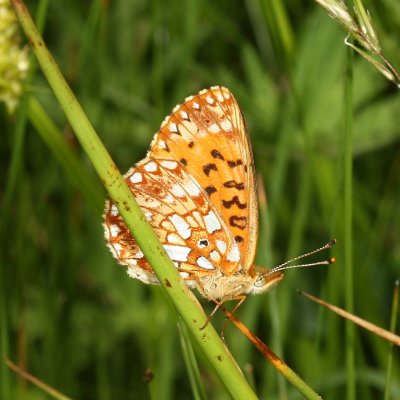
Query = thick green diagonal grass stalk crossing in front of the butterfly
x=184 y=300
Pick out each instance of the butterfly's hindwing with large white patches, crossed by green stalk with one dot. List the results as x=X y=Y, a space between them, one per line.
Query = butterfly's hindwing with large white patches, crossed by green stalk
x=190 y=229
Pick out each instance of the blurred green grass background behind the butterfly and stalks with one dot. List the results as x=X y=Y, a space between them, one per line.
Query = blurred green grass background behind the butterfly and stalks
x=70 y=315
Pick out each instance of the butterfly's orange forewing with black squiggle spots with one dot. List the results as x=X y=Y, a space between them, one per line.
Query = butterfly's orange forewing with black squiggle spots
x=208 y=137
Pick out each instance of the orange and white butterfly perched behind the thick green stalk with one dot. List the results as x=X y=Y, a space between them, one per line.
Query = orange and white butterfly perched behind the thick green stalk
x=197 y=188
